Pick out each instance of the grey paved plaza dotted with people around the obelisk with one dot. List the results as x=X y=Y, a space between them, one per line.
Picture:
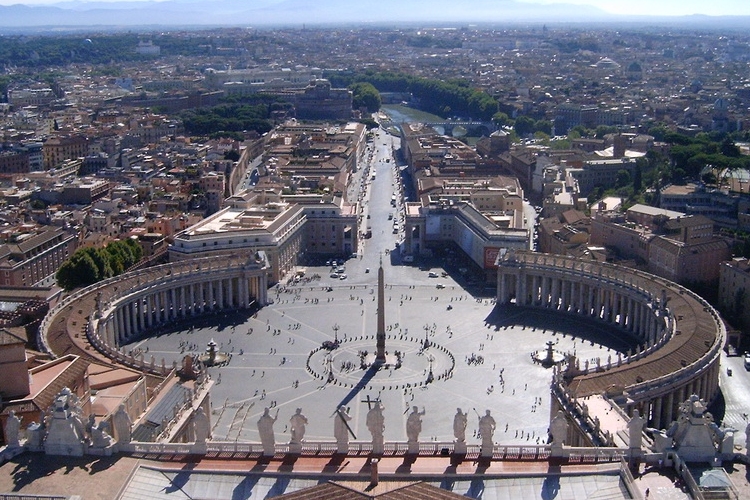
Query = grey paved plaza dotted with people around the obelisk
x=479 y=356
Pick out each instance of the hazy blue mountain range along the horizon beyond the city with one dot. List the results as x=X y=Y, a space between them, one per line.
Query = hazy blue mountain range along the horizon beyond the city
x=90 y=15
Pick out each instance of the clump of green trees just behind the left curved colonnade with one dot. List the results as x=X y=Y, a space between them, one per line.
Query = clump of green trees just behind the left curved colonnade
x=89 y=265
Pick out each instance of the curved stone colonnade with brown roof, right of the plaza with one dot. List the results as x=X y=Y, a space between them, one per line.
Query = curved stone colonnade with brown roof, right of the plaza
x=680 y=335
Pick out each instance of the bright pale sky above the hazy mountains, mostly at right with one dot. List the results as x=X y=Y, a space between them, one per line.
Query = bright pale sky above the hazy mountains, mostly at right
x=642 y=7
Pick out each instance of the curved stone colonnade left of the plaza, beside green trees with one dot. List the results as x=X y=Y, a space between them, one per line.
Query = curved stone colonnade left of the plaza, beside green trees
x=127 y=306
